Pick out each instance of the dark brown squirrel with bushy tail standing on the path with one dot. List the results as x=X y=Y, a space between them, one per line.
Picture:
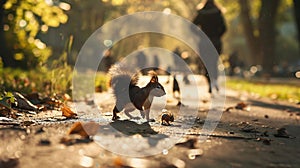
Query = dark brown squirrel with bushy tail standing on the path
x=123 y=82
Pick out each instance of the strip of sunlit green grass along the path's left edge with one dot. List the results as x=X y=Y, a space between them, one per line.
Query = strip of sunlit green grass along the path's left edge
x=56 y=78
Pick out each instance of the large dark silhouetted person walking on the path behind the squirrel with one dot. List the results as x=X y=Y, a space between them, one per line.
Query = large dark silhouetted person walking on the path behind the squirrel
x=211 y=21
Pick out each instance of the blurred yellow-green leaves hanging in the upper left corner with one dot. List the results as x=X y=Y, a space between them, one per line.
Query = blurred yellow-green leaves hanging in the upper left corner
x=26 y=19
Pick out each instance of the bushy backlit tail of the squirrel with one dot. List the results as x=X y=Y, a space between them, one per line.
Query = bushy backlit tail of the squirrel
x=121 y=78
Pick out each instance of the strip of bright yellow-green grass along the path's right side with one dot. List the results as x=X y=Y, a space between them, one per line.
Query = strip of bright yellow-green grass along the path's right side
x=278 y=91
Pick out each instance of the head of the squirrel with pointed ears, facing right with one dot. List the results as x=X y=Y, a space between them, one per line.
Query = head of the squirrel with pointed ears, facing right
x=156 y=89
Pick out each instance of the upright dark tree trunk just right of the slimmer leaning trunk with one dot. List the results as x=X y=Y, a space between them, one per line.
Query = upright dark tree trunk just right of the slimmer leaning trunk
x=267 y=32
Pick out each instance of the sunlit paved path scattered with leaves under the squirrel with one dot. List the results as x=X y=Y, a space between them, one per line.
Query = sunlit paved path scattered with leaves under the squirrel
x=242 y=138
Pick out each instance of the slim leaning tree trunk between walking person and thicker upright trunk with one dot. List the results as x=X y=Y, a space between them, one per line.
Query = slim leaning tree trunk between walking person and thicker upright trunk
x=248 y=28
